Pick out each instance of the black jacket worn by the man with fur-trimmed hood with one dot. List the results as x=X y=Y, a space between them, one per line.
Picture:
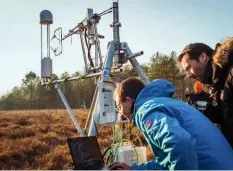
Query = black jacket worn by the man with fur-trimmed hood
x=221 y=80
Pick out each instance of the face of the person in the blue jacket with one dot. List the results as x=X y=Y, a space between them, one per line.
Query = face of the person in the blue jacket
x=124 y=107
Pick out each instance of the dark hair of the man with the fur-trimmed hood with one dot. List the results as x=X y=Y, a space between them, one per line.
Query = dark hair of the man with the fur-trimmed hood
x=194 y=50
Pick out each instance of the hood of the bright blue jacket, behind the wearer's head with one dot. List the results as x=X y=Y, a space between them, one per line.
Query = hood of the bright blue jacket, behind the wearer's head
x=157 y=88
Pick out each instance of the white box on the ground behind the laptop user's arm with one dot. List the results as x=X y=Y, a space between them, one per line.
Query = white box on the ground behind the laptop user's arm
x=130 y=155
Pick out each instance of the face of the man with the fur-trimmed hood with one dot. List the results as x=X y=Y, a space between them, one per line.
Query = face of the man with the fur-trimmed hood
x=193 y=68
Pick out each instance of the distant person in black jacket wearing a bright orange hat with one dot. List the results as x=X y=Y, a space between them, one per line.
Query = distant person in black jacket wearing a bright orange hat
x=203 y=102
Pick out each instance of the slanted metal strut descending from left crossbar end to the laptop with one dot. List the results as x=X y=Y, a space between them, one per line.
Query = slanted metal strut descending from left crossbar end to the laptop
x=69 y=109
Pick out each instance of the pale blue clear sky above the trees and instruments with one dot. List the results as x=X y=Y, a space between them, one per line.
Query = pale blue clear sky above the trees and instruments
x=148 y=25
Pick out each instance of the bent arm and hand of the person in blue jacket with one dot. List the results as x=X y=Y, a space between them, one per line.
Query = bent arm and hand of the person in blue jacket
x=177 y=145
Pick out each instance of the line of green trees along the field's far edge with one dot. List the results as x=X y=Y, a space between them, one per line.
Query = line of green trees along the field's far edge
x=31 y=95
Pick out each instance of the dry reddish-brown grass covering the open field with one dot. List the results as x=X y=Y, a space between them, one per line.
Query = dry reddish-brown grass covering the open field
x=36 y=139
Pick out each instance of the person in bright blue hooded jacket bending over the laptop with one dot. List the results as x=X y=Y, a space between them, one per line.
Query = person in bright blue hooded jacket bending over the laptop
x=180 y=137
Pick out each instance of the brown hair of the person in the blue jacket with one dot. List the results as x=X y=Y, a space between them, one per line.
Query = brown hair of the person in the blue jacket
x=130 y=87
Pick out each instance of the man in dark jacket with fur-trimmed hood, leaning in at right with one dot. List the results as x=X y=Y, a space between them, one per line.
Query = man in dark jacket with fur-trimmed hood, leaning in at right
x=215 y=68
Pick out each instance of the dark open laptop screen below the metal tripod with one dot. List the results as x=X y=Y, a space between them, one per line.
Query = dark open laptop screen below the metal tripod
x=85 y=153
